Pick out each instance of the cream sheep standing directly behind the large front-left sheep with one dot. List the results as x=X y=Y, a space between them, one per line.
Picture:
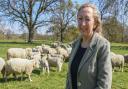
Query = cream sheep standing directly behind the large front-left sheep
x=19 y=53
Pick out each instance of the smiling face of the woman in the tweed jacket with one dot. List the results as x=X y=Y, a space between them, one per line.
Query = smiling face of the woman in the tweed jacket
x=85 y=20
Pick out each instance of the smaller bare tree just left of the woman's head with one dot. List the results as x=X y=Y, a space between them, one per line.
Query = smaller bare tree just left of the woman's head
x=62 y=16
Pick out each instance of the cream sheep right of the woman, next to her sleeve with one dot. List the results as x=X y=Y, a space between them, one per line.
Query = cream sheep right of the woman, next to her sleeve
x=117 y=61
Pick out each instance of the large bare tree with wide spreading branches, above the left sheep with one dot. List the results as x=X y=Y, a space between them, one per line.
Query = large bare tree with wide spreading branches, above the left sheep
x=29 y=13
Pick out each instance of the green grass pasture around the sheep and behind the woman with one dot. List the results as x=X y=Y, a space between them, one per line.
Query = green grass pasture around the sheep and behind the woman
x=56 y=80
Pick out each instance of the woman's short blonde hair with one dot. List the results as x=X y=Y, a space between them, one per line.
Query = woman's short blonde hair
x=97 y=18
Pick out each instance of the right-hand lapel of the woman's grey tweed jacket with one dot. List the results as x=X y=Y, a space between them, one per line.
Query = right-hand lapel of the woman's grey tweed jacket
x=88 y=52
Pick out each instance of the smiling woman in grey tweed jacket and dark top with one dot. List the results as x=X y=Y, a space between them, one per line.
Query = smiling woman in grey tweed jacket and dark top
x=89 y=63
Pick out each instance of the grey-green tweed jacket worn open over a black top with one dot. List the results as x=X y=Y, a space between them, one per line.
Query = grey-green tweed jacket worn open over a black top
x=95 y=69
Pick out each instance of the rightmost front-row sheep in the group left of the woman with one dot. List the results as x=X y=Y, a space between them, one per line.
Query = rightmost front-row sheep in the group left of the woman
x=55 y=62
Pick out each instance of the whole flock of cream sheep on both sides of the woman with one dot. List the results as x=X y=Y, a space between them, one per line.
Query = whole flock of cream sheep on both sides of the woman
x=24 y=60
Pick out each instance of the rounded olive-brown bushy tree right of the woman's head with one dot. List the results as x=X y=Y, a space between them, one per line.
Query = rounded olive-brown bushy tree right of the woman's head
x=112 y=29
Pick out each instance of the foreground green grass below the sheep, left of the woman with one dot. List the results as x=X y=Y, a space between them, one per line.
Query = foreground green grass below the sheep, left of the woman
x=55 y=80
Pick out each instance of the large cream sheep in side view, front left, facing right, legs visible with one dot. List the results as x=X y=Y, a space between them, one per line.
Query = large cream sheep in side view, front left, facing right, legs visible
x=19 y=66
